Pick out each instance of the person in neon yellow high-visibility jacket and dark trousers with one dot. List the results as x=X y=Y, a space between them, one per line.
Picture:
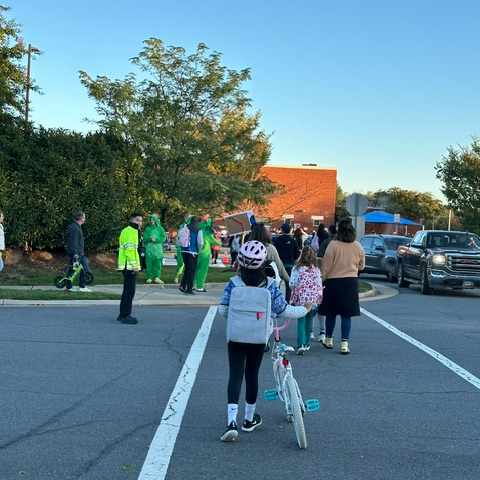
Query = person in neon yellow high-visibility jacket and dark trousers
x=129 y=265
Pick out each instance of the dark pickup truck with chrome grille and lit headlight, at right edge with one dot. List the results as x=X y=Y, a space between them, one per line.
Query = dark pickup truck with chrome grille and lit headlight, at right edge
x=440 y=259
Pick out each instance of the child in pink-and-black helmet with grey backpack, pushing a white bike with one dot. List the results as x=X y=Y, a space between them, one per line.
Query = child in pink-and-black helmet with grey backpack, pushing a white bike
x=248 y=301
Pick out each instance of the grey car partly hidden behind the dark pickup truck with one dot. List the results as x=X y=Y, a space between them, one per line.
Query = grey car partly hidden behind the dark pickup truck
x=381 y=254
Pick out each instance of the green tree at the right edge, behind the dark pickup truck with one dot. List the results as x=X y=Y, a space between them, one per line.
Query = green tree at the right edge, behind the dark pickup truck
x=459 y=172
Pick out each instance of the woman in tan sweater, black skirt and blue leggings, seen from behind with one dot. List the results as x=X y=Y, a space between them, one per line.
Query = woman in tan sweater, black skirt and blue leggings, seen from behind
x=343 y=259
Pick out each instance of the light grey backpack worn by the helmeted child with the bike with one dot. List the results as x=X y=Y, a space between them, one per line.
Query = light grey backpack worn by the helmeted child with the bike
x=249 y=317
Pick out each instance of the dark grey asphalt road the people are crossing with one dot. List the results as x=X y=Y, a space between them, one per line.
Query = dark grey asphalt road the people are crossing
x=82 y=395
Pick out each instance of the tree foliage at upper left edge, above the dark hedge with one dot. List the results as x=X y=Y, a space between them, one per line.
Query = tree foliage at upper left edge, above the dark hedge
x=13 y=75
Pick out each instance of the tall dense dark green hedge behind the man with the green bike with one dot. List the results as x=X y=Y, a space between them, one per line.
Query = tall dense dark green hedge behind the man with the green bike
x=49 y=174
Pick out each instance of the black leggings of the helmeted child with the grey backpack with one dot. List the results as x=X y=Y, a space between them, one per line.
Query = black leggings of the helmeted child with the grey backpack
x=244 y=358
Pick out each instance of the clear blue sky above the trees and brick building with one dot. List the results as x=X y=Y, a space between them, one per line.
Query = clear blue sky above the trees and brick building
x=378 y=89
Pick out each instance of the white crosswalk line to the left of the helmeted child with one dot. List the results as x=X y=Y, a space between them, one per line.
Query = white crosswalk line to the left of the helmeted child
x=161 y=449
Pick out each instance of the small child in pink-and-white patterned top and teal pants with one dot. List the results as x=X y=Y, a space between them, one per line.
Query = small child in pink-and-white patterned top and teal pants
x=306 y=284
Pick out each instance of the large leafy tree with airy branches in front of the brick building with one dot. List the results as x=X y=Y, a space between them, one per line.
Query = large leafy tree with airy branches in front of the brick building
x=186 y=124
